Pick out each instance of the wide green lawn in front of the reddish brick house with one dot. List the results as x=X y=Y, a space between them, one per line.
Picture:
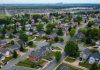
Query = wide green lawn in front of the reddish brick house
x=27 y=63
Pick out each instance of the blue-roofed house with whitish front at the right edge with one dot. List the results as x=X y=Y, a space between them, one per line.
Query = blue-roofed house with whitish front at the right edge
x=94 y=58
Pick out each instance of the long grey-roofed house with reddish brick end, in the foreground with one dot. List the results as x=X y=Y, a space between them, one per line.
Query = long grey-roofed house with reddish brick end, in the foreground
x=36 y=55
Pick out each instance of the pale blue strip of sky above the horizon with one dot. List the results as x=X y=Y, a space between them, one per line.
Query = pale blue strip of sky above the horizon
x=48 y=1
